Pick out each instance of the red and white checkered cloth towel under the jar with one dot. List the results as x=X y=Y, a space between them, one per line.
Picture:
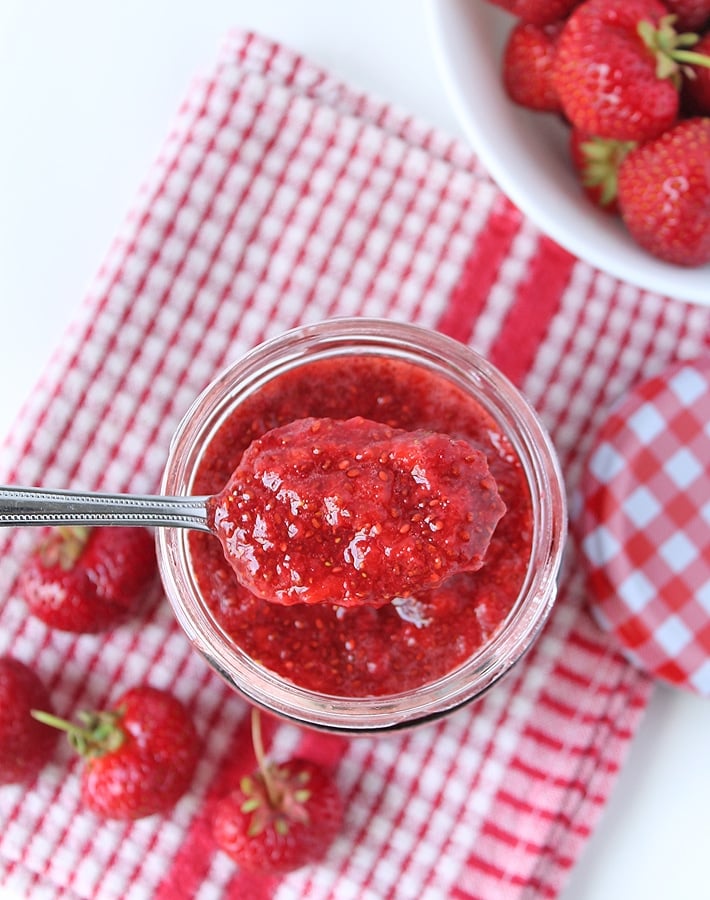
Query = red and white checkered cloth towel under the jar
x=280 y=197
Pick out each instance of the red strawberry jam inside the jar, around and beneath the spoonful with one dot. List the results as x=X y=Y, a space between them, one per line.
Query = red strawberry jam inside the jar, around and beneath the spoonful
x=365 y=650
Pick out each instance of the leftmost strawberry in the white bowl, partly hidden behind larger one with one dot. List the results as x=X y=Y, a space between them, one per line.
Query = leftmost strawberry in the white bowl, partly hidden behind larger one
x=528 y=66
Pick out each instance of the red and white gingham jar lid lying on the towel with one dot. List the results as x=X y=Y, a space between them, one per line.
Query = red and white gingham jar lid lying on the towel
x=645 y=525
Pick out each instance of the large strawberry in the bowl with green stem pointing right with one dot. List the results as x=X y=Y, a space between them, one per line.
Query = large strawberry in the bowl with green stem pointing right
x=618 y=68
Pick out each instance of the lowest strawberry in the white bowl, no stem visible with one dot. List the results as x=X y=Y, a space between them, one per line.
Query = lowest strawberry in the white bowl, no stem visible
x=664 y=193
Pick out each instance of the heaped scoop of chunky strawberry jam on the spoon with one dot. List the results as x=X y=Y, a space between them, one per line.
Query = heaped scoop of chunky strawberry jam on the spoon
x=354 y=512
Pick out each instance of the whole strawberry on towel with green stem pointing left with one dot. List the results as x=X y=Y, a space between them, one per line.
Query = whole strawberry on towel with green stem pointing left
x=140 y=755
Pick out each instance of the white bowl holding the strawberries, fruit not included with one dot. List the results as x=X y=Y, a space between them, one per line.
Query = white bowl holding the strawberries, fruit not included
x=526 y=154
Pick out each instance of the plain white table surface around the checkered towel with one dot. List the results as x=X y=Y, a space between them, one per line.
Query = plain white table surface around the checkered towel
x=87 y=91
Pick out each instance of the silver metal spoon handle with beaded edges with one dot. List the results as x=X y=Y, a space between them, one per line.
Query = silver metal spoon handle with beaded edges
x=37 y=506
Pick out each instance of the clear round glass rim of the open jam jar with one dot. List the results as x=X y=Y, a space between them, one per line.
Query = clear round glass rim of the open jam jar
x=344 y=339
